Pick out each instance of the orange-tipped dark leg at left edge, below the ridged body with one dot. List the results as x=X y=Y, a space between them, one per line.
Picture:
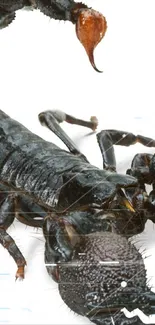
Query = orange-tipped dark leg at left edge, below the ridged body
x=7 y=215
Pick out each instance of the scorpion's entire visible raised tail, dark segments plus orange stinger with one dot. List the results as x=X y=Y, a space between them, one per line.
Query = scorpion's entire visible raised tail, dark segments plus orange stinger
x=90 y=25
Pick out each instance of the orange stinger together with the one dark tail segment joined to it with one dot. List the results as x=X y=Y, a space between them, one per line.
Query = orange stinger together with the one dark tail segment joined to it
x=90 y=24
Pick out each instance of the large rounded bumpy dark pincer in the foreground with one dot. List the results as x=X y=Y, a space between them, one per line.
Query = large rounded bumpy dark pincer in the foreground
x=105 y=274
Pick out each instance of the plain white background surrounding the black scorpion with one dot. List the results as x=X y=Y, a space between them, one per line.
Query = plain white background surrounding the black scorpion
x=43 y=66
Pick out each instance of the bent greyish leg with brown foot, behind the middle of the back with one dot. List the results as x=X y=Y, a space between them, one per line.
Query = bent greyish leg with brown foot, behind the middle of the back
x=51 y=120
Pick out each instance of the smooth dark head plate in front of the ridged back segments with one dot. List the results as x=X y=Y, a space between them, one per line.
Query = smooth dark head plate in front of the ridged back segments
x=95 y=188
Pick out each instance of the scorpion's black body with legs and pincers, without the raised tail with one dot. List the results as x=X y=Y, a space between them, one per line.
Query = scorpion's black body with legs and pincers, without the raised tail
x=87 y=215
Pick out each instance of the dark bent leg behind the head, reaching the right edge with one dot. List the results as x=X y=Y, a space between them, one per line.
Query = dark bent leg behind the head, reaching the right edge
x=108 y=138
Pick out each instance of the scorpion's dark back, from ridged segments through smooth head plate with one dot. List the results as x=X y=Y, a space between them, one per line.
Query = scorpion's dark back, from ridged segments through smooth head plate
x=46 y=172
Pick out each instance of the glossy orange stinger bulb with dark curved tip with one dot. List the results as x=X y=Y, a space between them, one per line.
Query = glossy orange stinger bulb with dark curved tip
x=90 y=29
